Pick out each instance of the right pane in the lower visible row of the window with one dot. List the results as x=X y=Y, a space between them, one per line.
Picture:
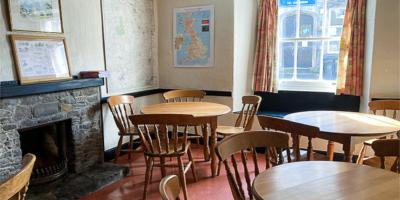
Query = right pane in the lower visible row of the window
x=330 y=60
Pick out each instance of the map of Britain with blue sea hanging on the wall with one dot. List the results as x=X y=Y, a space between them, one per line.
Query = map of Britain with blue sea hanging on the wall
x=193 y=40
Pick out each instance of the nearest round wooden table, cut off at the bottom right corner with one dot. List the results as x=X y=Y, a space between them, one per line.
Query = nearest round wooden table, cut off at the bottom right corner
x=326 y=180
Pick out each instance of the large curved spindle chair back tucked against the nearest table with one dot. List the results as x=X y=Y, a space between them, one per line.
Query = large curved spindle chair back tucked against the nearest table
x=233 y=147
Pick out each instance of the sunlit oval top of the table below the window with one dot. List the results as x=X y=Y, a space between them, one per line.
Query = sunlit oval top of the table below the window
x=347 y=123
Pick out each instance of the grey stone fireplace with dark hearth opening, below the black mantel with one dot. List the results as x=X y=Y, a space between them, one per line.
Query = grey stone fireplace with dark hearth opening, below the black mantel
x=70 y=117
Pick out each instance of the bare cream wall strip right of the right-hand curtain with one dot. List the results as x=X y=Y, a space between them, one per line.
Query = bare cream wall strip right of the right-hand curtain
x=385 y=78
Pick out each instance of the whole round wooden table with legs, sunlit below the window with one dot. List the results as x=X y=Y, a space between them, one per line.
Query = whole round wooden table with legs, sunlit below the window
x=347 y=128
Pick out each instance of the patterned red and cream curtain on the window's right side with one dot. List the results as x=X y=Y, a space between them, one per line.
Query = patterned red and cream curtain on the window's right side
x=351 y=56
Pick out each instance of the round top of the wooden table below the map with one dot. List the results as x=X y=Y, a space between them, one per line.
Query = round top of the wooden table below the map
x=197 y=109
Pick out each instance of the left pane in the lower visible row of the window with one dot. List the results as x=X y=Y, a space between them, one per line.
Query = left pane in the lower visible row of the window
x=286 y=56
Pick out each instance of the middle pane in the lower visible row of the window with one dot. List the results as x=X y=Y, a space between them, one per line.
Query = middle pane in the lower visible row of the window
x=308 y=60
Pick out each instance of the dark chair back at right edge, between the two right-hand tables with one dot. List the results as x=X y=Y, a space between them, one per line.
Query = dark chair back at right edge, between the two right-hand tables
x=388 y=147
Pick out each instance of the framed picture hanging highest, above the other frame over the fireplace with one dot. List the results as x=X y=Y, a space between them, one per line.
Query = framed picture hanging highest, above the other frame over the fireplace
x=35 y=15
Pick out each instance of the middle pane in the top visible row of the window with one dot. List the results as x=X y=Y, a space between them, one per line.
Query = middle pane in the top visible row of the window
x=311 y=18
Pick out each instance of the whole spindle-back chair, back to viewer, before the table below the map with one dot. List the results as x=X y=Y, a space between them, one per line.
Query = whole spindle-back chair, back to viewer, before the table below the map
x=166 y=142
